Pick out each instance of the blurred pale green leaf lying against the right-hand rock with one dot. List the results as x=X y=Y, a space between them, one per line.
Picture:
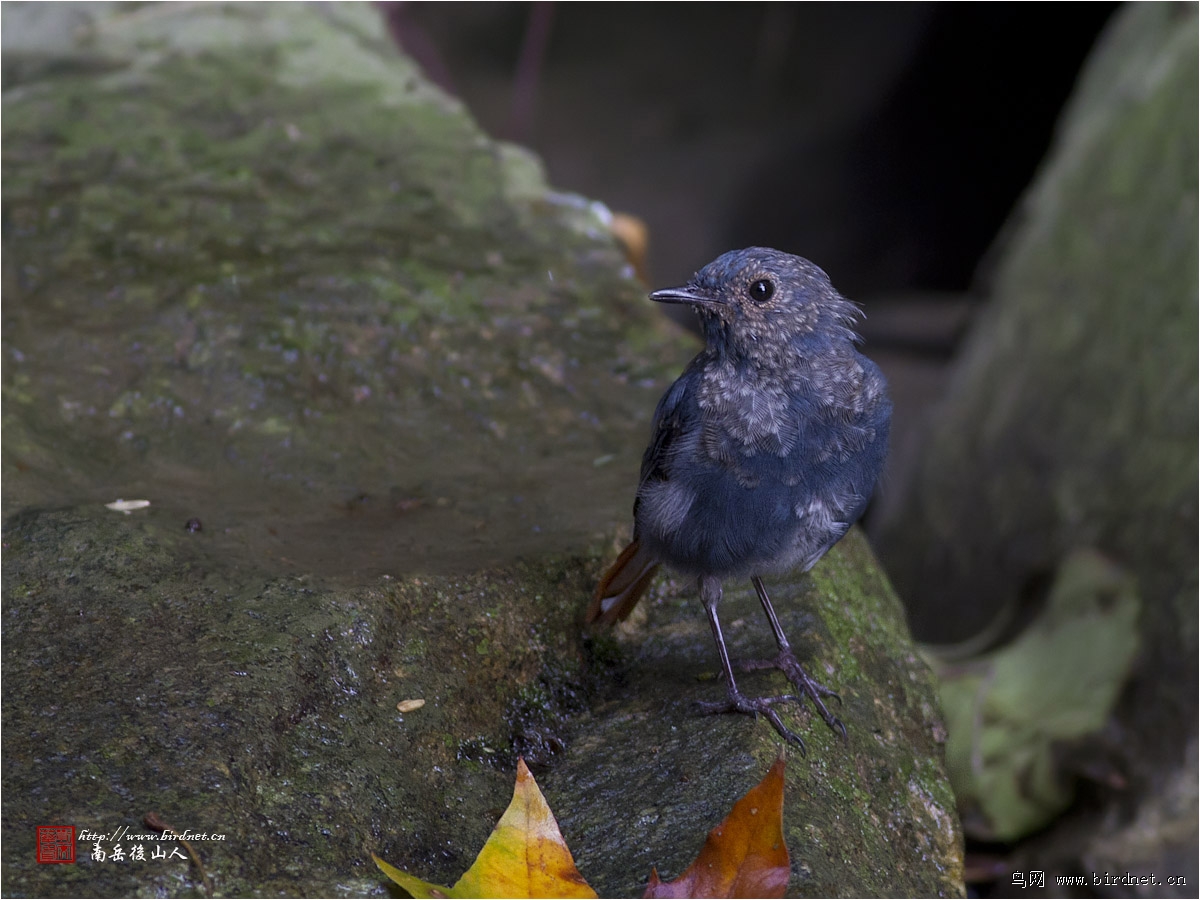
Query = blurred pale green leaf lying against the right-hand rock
x=1015 y=713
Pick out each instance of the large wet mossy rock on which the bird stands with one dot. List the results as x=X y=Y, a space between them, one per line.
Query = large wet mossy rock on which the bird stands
x=386 y=394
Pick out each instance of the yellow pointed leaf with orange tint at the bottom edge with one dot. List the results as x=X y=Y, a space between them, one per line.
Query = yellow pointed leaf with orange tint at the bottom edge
x=525 y=857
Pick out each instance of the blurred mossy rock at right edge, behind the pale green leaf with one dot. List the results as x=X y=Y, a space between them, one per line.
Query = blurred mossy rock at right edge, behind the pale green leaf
x=1071 y=428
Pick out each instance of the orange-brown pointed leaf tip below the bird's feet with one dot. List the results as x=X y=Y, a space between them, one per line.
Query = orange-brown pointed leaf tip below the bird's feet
x=746 y=855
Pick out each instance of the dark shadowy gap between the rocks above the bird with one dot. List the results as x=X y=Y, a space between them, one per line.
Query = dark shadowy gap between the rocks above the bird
x=886 y=142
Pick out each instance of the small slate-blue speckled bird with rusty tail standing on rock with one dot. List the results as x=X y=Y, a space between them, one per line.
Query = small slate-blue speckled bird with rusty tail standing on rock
x=763 y=455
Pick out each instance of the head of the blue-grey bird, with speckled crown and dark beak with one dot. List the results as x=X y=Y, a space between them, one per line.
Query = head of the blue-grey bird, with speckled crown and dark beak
x=757 y=299
